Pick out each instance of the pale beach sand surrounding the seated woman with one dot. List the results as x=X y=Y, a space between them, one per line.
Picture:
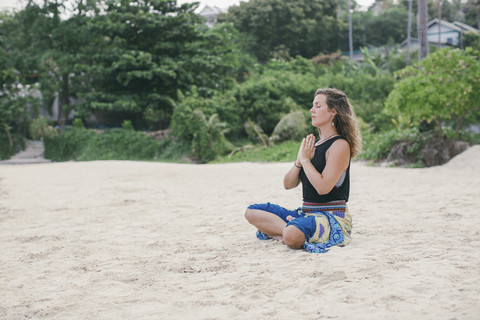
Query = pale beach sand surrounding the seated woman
x=140 y=240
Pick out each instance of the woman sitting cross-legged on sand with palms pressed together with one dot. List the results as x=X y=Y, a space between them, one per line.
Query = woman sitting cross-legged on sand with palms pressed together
x=323 y=168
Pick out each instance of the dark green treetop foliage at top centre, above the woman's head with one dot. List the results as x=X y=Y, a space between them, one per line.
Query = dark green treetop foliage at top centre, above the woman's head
x=277 y=28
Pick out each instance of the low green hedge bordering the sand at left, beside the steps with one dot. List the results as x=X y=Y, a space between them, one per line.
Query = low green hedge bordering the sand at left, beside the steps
x=116 y=144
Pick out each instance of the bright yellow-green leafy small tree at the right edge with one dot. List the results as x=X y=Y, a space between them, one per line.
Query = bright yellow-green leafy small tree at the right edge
x=447 y=85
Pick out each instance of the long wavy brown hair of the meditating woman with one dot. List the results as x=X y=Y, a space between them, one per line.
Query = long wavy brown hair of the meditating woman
x=345 y=121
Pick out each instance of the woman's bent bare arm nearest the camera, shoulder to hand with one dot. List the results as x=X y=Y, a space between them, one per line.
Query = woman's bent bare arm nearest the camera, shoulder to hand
x=338 y=159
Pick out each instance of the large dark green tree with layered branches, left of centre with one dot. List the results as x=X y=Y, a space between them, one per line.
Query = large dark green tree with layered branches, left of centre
x=143 y=53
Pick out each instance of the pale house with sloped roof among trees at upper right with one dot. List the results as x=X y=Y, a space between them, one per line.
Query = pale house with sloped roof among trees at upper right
x=450 y=33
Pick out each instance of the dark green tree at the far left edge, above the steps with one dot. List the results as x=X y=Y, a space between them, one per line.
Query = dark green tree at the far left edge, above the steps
x=46 y=49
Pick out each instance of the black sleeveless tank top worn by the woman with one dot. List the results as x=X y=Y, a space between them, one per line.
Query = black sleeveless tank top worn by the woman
x=319 y=161
